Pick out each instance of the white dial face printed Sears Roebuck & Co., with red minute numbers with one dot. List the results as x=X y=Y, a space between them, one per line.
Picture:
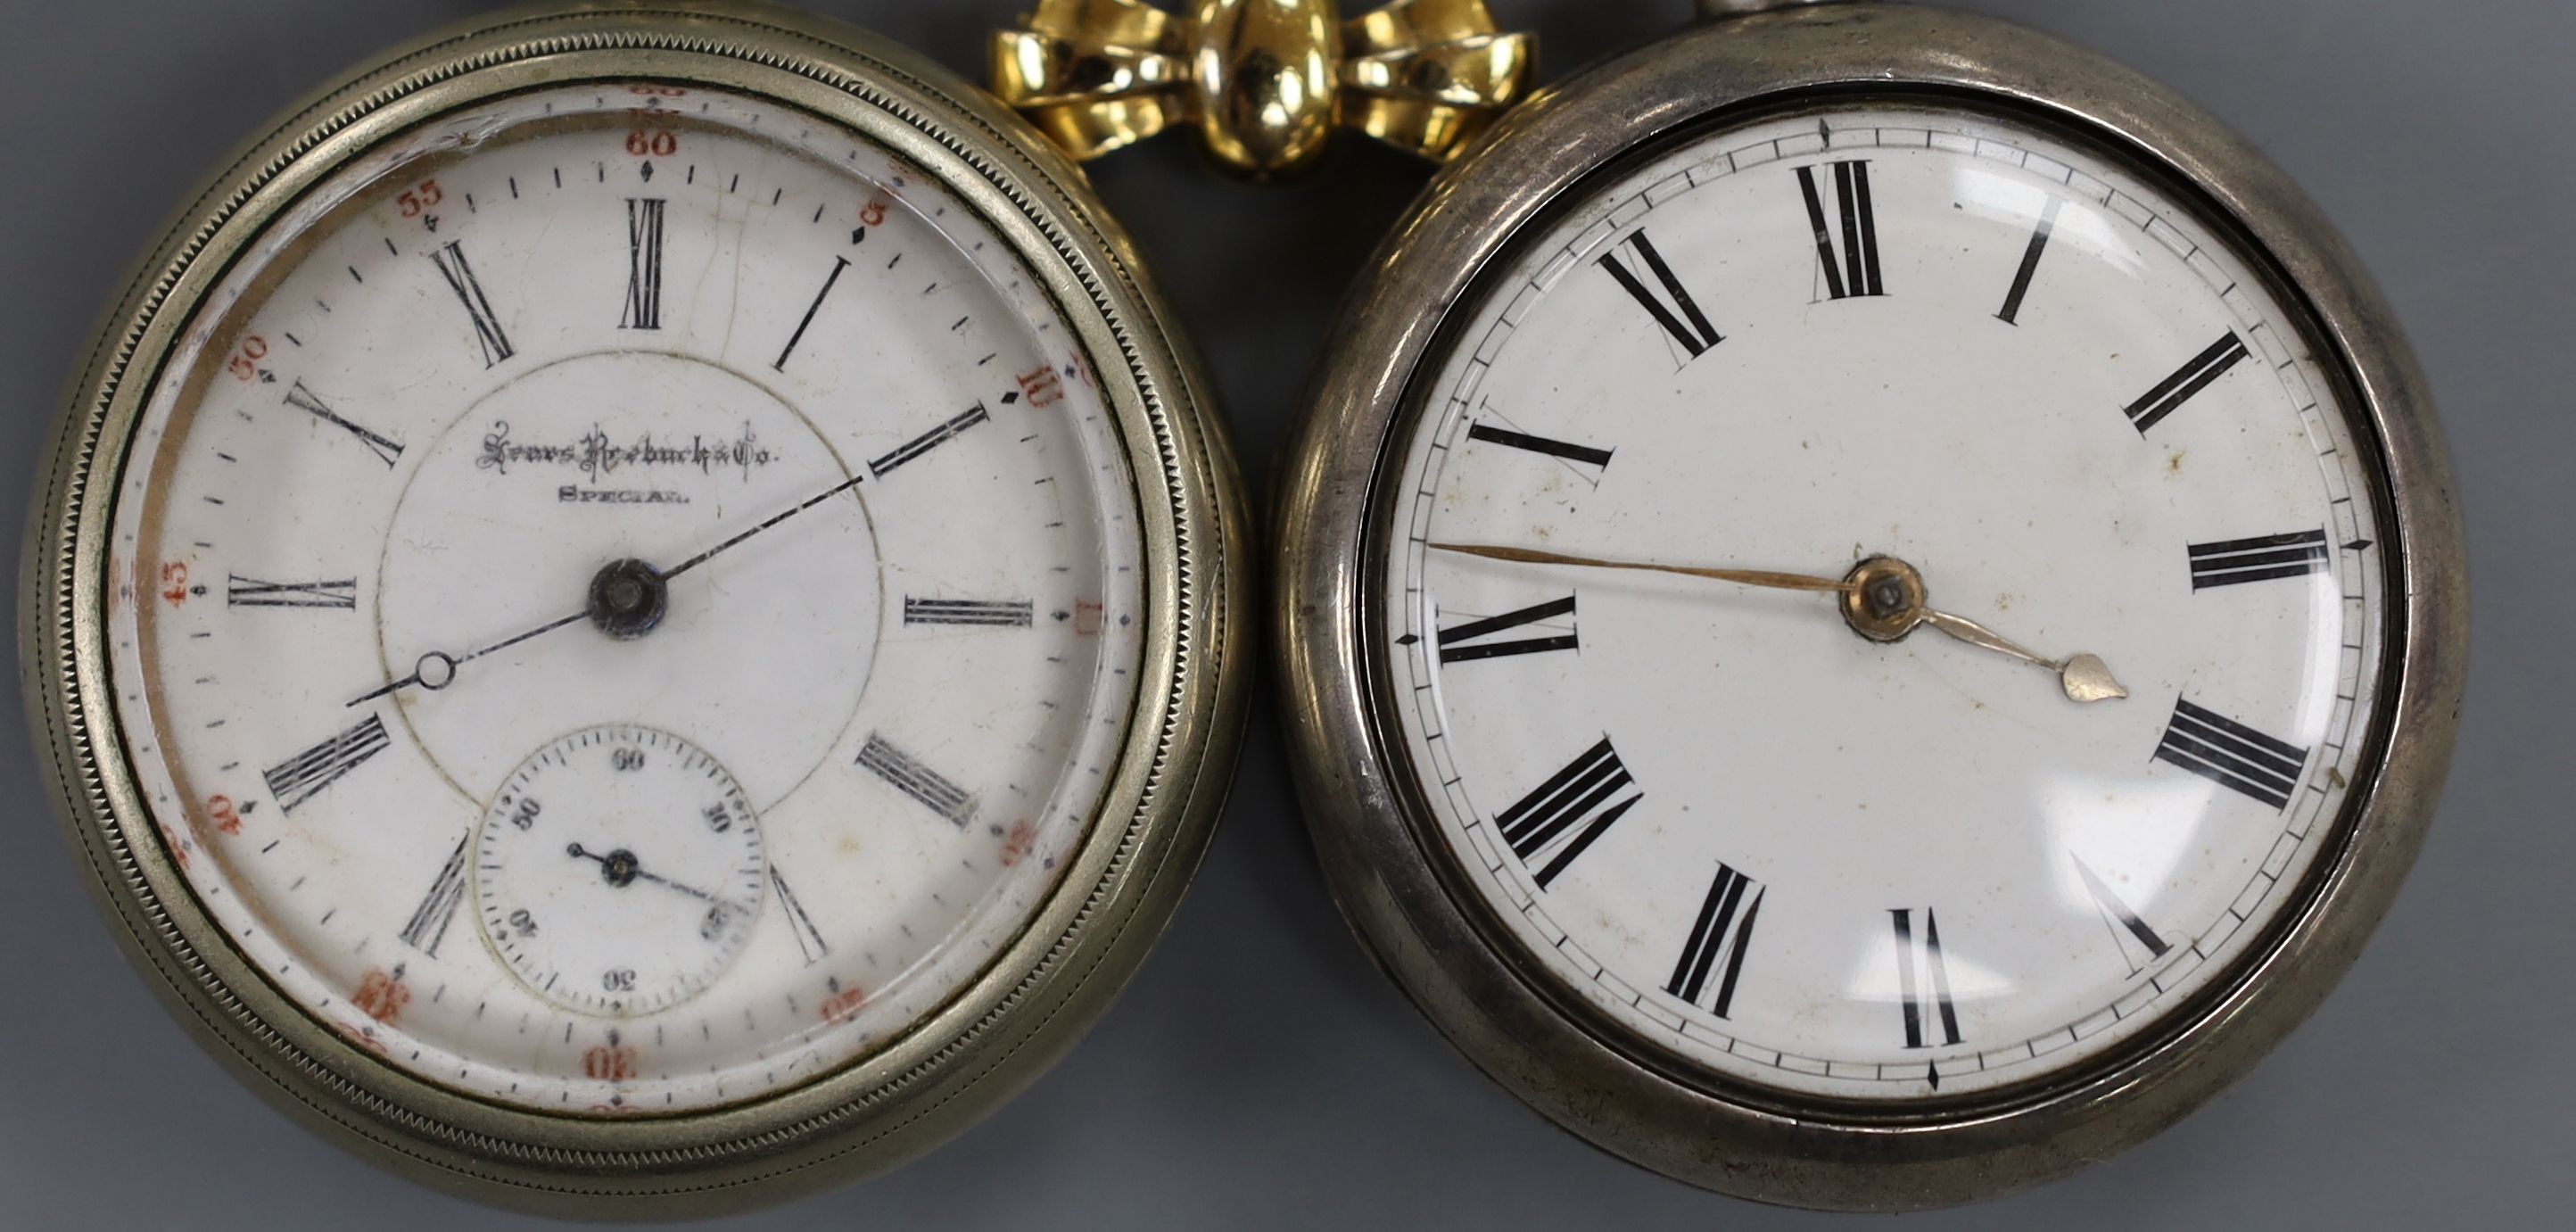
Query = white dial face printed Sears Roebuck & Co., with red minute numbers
x=627 y=421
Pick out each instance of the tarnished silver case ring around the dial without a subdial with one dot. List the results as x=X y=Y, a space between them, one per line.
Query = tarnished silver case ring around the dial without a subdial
x=1374 y=834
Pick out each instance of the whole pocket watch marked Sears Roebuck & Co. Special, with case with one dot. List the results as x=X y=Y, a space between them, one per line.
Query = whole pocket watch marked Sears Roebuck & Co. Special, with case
x=638 y=610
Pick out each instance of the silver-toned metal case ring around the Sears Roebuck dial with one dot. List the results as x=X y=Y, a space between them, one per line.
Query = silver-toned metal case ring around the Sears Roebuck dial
x=1122 y=883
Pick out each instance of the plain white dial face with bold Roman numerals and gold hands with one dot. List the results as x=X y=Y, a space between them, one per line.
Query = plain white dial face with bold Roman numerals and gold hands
x=2023 y=388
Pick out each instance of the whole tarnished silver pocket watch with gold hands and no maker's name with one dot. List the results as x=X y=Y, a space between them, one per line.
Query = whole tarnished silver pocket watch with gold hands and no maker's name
x=1871 y=607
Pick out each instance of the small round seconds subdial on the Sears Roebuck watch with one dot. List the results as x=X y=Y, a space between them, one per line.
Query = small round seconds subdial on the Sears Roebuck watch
x=620 y=872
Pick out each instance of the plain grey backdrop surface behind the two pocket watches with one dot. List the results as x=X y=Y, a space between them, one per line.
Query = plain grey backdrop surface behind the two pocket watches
x=1261 y=1073
